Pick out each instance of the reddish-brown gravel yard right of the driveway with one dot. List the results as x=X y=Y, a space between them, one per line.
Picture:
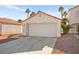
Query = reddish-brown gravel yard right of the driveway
x=68 y=44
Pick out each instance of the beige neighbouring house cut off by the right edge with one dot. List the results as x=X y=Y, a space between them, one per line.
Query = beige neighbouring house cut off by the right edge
x=73 y=17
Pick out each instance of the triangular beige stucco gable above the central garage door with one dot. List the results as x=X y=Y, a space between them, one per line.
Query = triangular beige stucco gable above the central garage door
x=42 y=19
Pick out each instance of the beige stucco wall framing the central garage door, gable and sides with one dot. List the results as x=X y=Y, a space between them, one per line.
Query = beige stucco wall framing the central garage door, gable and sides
x=43 y=19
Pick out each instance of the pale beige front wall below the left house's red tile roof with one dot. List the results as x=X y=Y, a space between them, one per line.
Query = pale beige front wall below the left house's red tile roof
x=11 y=28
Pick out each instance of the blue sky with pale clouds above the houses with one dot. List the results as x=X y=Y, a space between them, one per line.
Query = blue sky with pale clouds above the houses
x=18 y=11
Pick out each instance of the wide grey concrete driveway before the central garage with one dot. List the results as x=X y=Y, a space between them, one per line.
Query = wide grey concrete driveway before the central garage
x=17 y=44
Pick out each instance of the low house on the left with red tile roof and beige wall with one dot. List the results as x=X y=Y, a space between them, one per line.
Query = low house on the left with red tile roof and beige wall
x=8 y=26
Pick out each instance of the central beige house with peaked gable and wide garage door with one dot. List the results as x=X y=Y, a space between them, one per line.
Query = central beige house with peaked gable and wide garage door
x=42 y=24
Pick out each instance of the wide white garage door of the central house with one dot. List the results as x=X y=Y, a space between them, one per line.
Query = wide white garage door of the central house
x=48 y=30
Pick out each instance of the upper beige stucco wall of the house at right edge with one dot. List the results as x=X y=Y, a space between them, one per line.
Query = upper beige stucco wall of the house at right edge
x=73 y=15
